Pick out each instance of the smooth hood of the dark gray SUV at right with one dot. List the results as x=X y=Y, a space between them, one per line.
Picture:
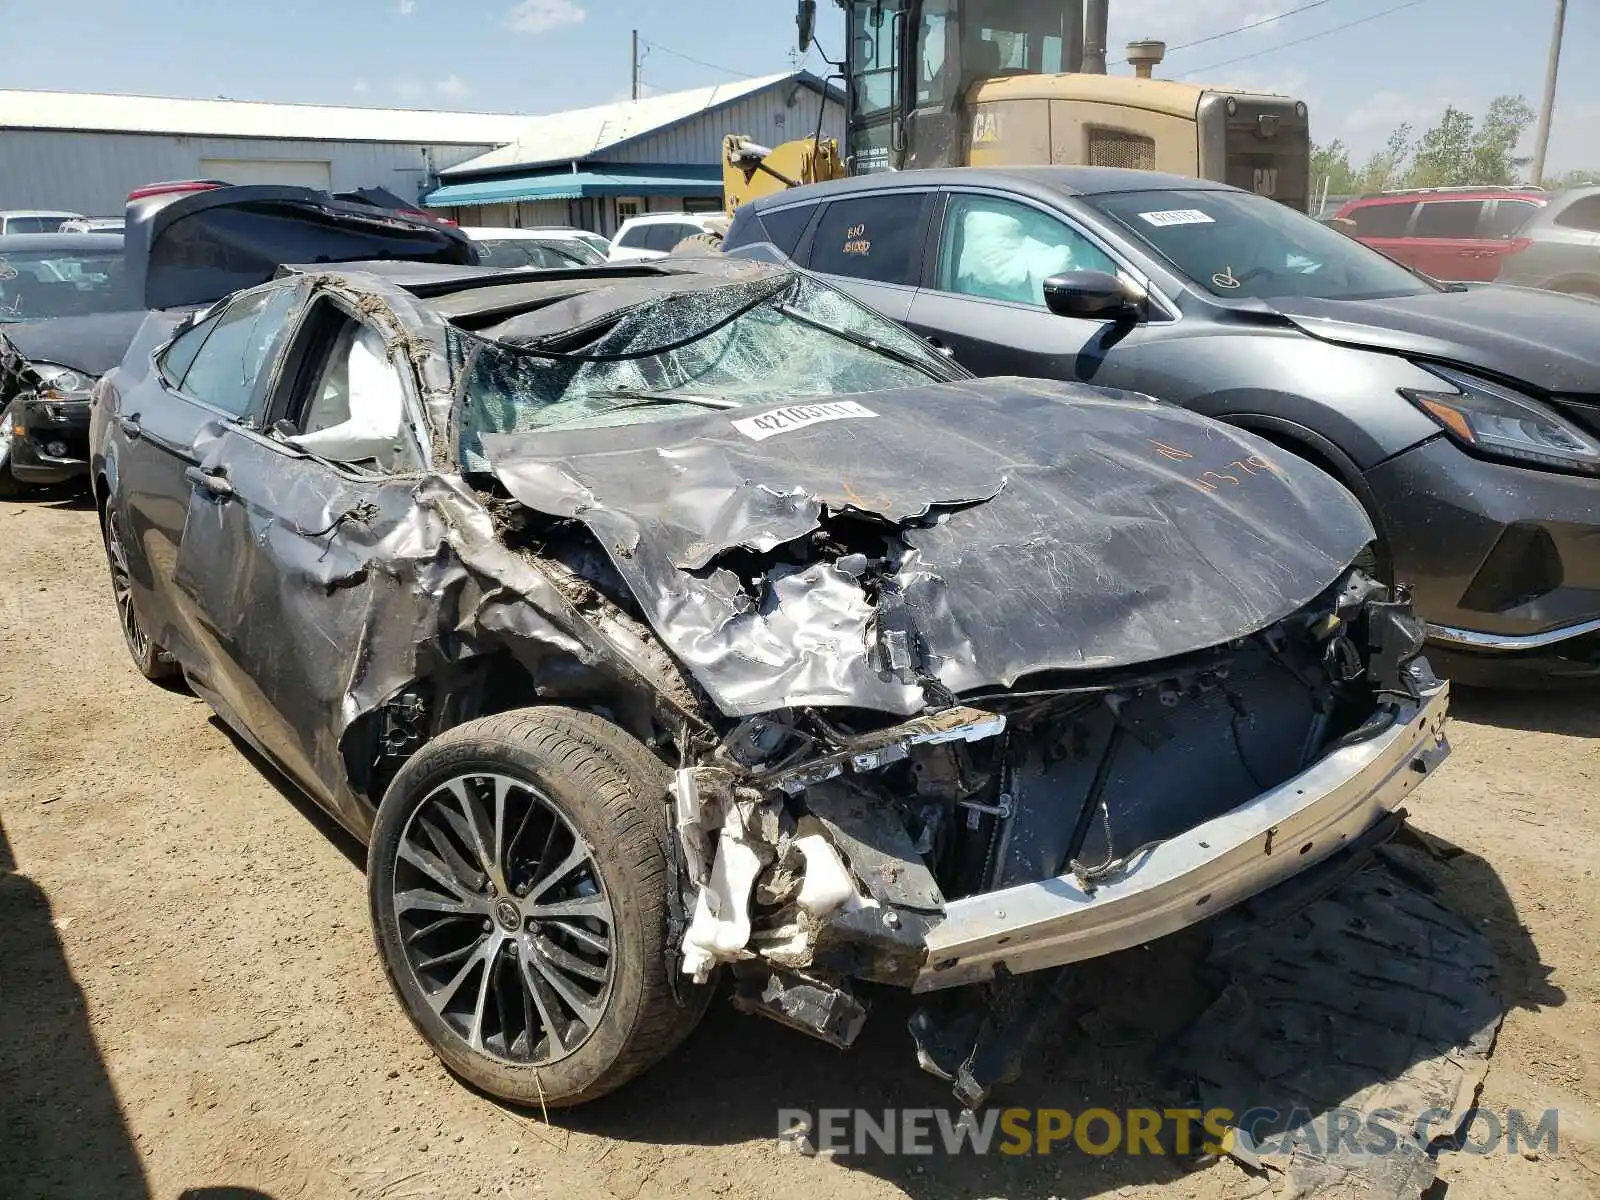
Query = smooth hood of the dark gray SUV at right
x=1540 y=338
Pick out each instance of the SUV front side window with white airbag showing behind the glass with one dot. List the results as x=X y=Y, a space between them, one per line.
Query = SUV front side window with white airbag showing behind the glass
x=1004 y=250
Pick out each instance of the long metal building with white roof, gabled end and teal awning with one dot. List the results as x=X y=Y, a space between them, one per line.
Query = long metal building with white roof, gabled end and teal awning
x=86 y=151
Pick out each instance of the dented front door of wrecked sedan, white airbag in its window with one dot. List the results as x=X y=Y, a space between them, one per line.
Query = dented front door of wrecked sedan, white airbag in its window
x=279 y=553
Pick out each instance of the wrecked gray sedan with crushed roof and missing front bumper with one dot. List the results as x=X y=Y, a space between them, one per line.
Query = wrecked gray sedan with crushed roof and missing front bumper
x=658 y=620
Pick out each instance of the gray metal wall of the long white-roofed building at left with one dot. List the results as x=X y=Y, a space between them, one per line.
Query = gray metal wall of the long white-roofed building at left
x=95 y=172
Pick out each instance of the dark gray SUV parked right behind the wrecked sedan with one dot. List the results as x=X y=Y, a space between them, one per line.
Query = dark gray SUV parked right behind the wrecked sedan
x=1465 y=418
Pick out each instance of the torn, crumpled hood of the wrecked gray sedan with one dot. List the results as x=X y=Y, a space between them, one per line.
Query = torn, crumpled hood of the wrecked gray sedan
x=1026 y=526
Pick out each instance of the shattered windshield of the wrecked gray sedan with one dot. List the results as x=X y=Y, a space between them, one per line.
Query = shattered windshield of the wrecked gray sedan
x=687 y=353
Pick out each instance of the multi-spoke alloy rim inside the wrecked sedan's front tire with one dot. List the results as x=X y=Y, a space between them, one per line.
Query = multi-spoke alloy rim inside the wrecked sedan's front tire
x=505 y=919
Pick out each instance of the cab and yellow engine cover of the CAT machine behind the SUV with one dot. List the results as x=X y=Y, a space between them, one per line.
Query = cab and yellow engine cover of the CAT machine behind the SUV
x=1017 y=82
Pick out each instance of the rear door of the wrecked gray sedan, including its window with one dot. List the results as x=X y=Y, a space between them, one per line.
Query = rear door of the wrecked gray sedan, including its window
x=204 y=380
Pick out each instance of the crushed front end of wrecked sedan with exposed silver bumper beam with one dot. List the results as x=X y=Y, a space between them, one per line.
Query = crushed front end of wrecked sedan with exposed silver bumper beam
x=1047 y=825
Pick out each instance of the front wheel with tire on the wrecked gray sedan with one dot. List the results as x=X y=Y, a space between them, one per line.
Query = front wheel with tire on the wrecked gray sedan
x=519 y=892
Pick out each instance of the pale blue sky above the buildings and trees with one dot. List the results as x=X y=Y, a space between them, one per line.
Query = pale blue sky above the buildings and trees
x=546 y=55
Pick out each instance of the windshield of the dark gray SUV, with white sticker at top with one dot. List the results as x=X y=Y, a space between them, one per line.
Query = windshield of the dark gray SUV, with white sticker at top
x=1236 y=246
